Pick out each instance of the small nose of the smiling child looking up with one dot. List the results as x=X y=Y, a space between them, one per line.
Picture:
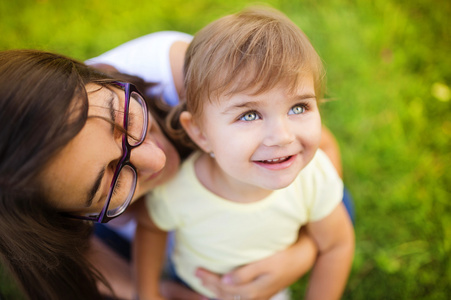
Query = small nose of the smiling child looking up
x=278 y=133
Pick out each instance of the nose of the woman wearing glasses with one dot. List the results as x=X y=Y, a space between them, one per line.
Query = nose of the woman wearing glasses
x=148 y=158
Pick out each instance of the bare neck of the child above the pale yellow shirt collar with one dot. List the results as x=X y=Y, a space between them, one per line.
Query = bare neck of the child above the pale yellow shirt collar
x=216 y=181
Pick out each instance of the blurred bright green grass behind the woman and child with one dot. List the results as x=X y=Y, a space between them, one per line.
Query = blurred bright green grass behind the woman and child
x=389 y=76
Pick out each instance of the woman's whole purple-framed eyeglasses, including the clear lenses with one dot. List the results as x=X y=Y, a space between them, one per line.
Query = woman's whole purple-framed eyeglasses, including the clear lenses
x=123 y=185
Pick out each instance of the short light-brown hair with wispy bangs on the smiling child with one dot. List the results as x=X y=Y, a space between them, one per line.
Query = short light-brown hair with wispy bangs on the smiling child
x=250 y=51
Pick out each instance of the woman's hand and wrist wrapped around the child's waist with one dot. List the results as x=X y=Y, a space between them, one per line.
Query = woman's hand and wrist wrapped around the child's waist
x=265 y=278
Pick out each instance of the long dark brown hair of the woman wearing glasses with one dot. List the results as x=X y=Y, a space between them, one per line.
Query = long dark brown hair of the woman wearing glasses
x=43 y=105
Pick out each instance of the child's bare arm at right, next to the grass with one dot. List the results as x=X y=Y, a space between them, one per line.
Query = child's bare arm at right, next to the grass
x=334 y=236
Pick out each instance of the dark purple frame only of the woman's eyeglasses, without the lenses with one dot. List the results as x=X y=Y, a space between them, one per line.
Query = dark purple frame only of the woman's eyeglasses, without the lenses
x=125 y=158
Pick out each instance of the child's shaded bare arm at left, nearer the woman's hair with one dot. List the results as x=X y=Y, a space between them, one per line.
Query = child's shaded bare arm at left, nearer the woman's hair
x=149 y=254
